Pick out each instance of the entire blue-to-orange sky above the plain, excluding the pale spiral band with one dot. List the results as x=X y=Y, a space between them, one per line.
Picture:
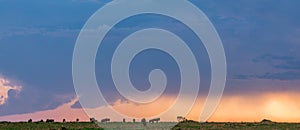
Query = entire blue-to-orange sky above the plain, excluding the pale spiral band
x=261 y=39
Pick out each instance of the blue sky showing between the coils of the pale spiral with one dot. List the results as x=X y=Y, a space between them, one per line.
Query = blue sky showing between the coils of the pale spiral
x=151 y=59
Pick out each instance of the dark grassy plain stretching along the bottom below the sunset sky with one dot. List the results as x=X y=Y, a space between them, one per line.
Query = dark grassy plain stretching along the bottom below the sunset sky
x=187 y=125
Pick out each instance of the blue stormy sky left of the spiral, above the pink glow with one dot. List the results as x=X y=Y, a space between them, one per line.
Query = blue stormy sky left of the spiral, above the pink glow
x=37 y=40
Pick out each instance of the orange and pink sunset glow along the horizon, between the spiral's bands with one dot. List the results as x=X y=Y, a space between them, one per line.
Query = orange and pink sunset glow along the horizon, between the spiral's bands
x=280 y=107
